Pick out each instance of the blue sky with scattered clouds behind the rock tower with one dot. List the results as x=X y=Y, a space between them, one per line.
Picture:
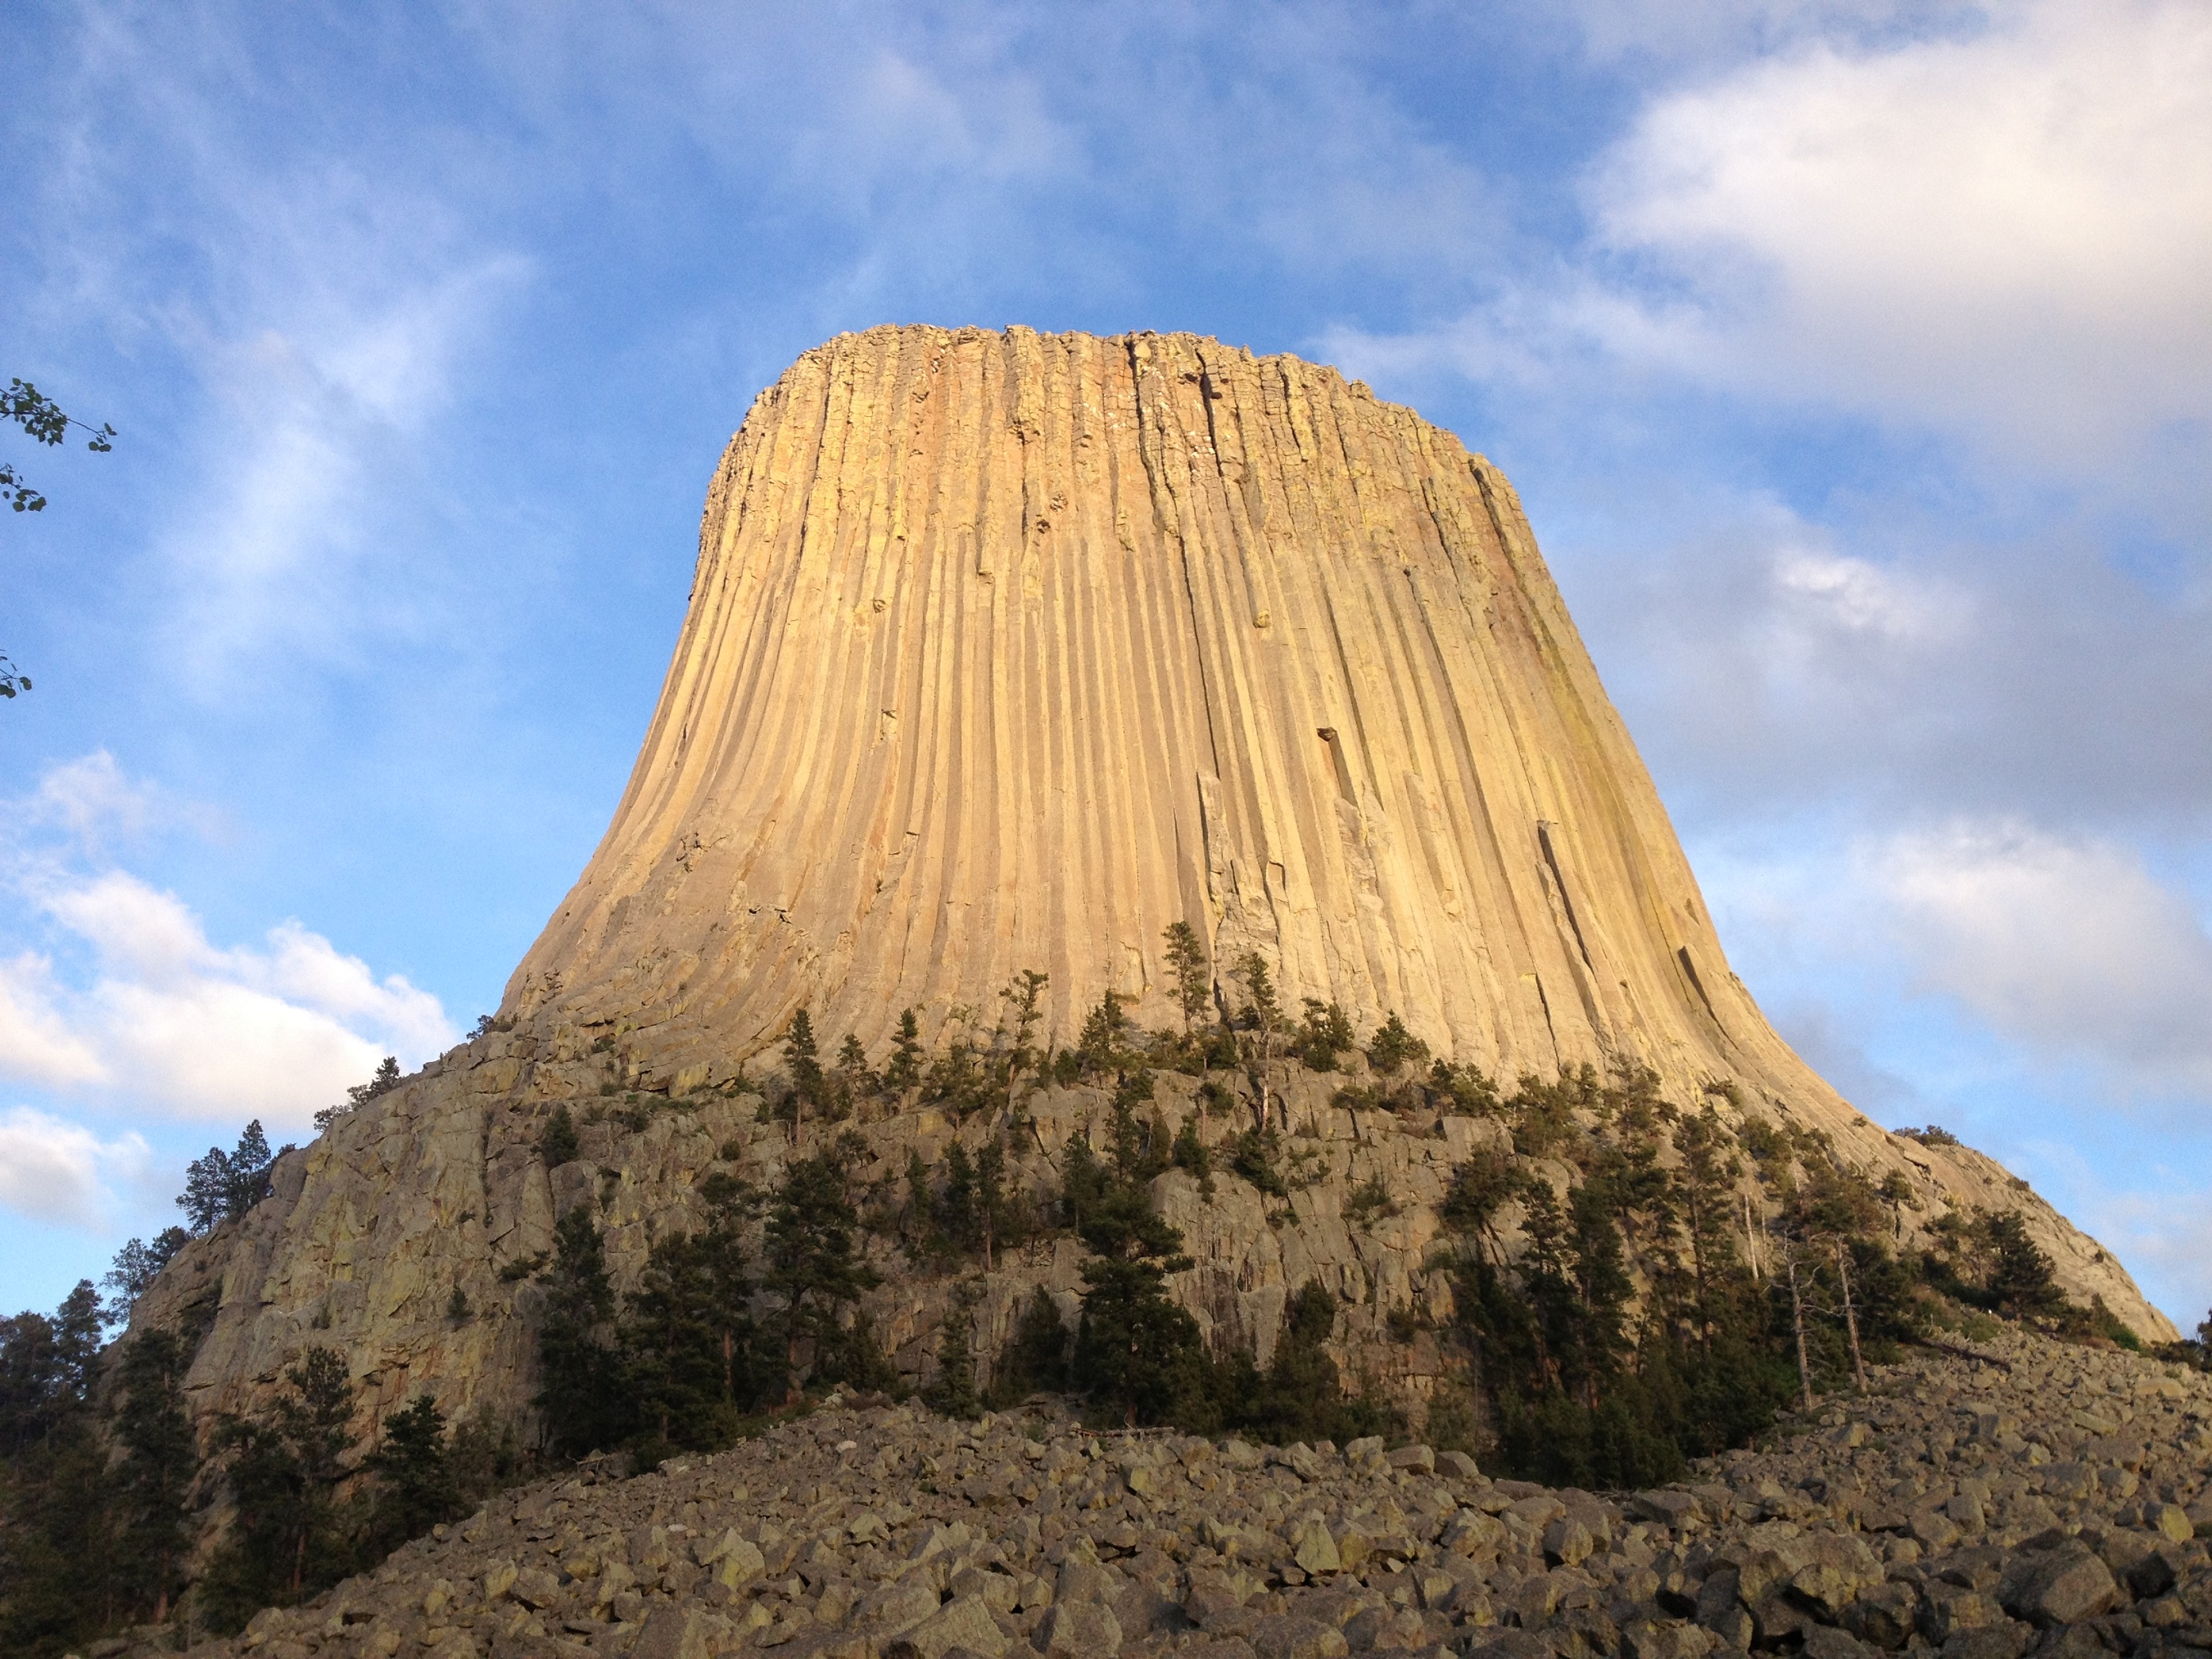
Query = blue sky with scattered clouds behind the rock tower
x=1853 y=362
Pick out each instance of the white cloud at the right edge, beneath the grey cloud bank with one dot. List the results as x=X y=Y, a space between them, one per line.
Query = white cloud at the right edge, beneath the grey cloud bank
x=2067 y=948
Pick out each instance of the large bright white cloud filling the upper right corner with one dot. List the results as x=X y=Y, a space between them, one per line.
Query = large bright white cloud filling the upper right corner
x=2001 y=231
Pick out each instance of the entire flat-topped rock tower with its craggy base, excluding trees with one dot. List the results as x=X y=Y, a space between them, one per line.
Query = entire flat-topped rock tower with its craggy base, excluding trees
x=1005 y=654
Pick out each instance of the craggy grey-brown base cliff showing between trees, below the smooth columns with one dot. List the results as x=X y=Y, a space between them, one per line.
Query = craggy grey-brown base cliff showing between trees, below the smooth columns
x=441 y=1191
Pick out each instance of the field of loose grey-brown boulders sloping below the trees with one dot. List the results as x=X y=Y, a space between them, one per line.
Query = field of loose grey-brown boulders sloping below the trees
x=2038 y=1501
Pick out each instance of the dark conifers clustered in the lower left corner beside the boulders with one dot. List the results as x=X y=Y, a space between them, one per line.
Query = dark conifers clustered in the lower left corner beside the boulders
x=105 y=1485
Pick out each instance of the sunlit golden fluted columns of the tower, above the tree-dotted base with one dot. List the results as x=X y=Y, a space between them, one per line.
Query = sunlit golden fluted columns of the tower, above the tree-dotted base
x=1008 y=651
